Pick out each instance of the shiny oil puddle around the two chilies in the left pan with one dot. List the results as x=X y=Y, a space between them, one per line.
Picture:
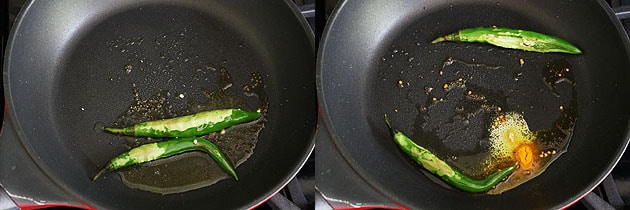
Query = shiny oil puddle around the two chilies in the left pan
x=194 y=170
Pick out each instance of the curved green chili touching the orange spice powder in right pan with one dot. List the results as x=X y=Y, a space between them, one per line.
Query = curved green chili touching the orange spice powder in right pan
x=440 y=168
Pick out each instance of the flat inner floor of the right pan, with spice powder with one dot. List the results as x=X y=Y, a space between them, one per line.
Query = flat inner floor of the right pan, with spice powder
x=454 y=101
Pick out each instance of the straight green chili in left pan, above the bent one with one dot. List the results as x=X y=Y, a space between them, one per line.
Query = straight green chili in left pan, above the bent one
x=190 y=125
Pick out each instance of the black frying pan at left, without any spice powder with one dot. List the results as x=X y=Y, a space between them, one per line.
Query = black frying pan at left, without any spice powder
x=66 y=70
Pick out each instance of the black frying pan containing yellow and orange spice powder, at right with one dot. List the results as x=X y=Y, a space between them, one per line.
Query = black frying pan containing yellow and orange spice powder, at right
x=368 y=47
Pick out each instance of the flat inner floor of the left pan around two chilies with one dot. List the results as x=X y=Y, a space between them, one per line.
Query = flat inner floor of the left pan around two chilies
x=157 y=74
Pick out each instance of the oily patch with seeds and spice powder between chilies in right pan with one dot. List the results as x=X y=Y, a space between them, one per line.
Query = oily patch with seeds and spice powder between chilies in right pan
x=480 y=130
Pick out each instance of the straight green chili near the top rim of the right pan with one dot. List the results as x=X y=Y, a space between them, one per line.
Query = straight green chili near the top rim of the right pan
x=513 y=39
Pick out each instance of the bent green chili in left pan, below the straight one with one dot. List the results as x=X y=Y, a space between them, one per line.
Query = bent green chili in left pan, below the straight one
x=163 y=149
